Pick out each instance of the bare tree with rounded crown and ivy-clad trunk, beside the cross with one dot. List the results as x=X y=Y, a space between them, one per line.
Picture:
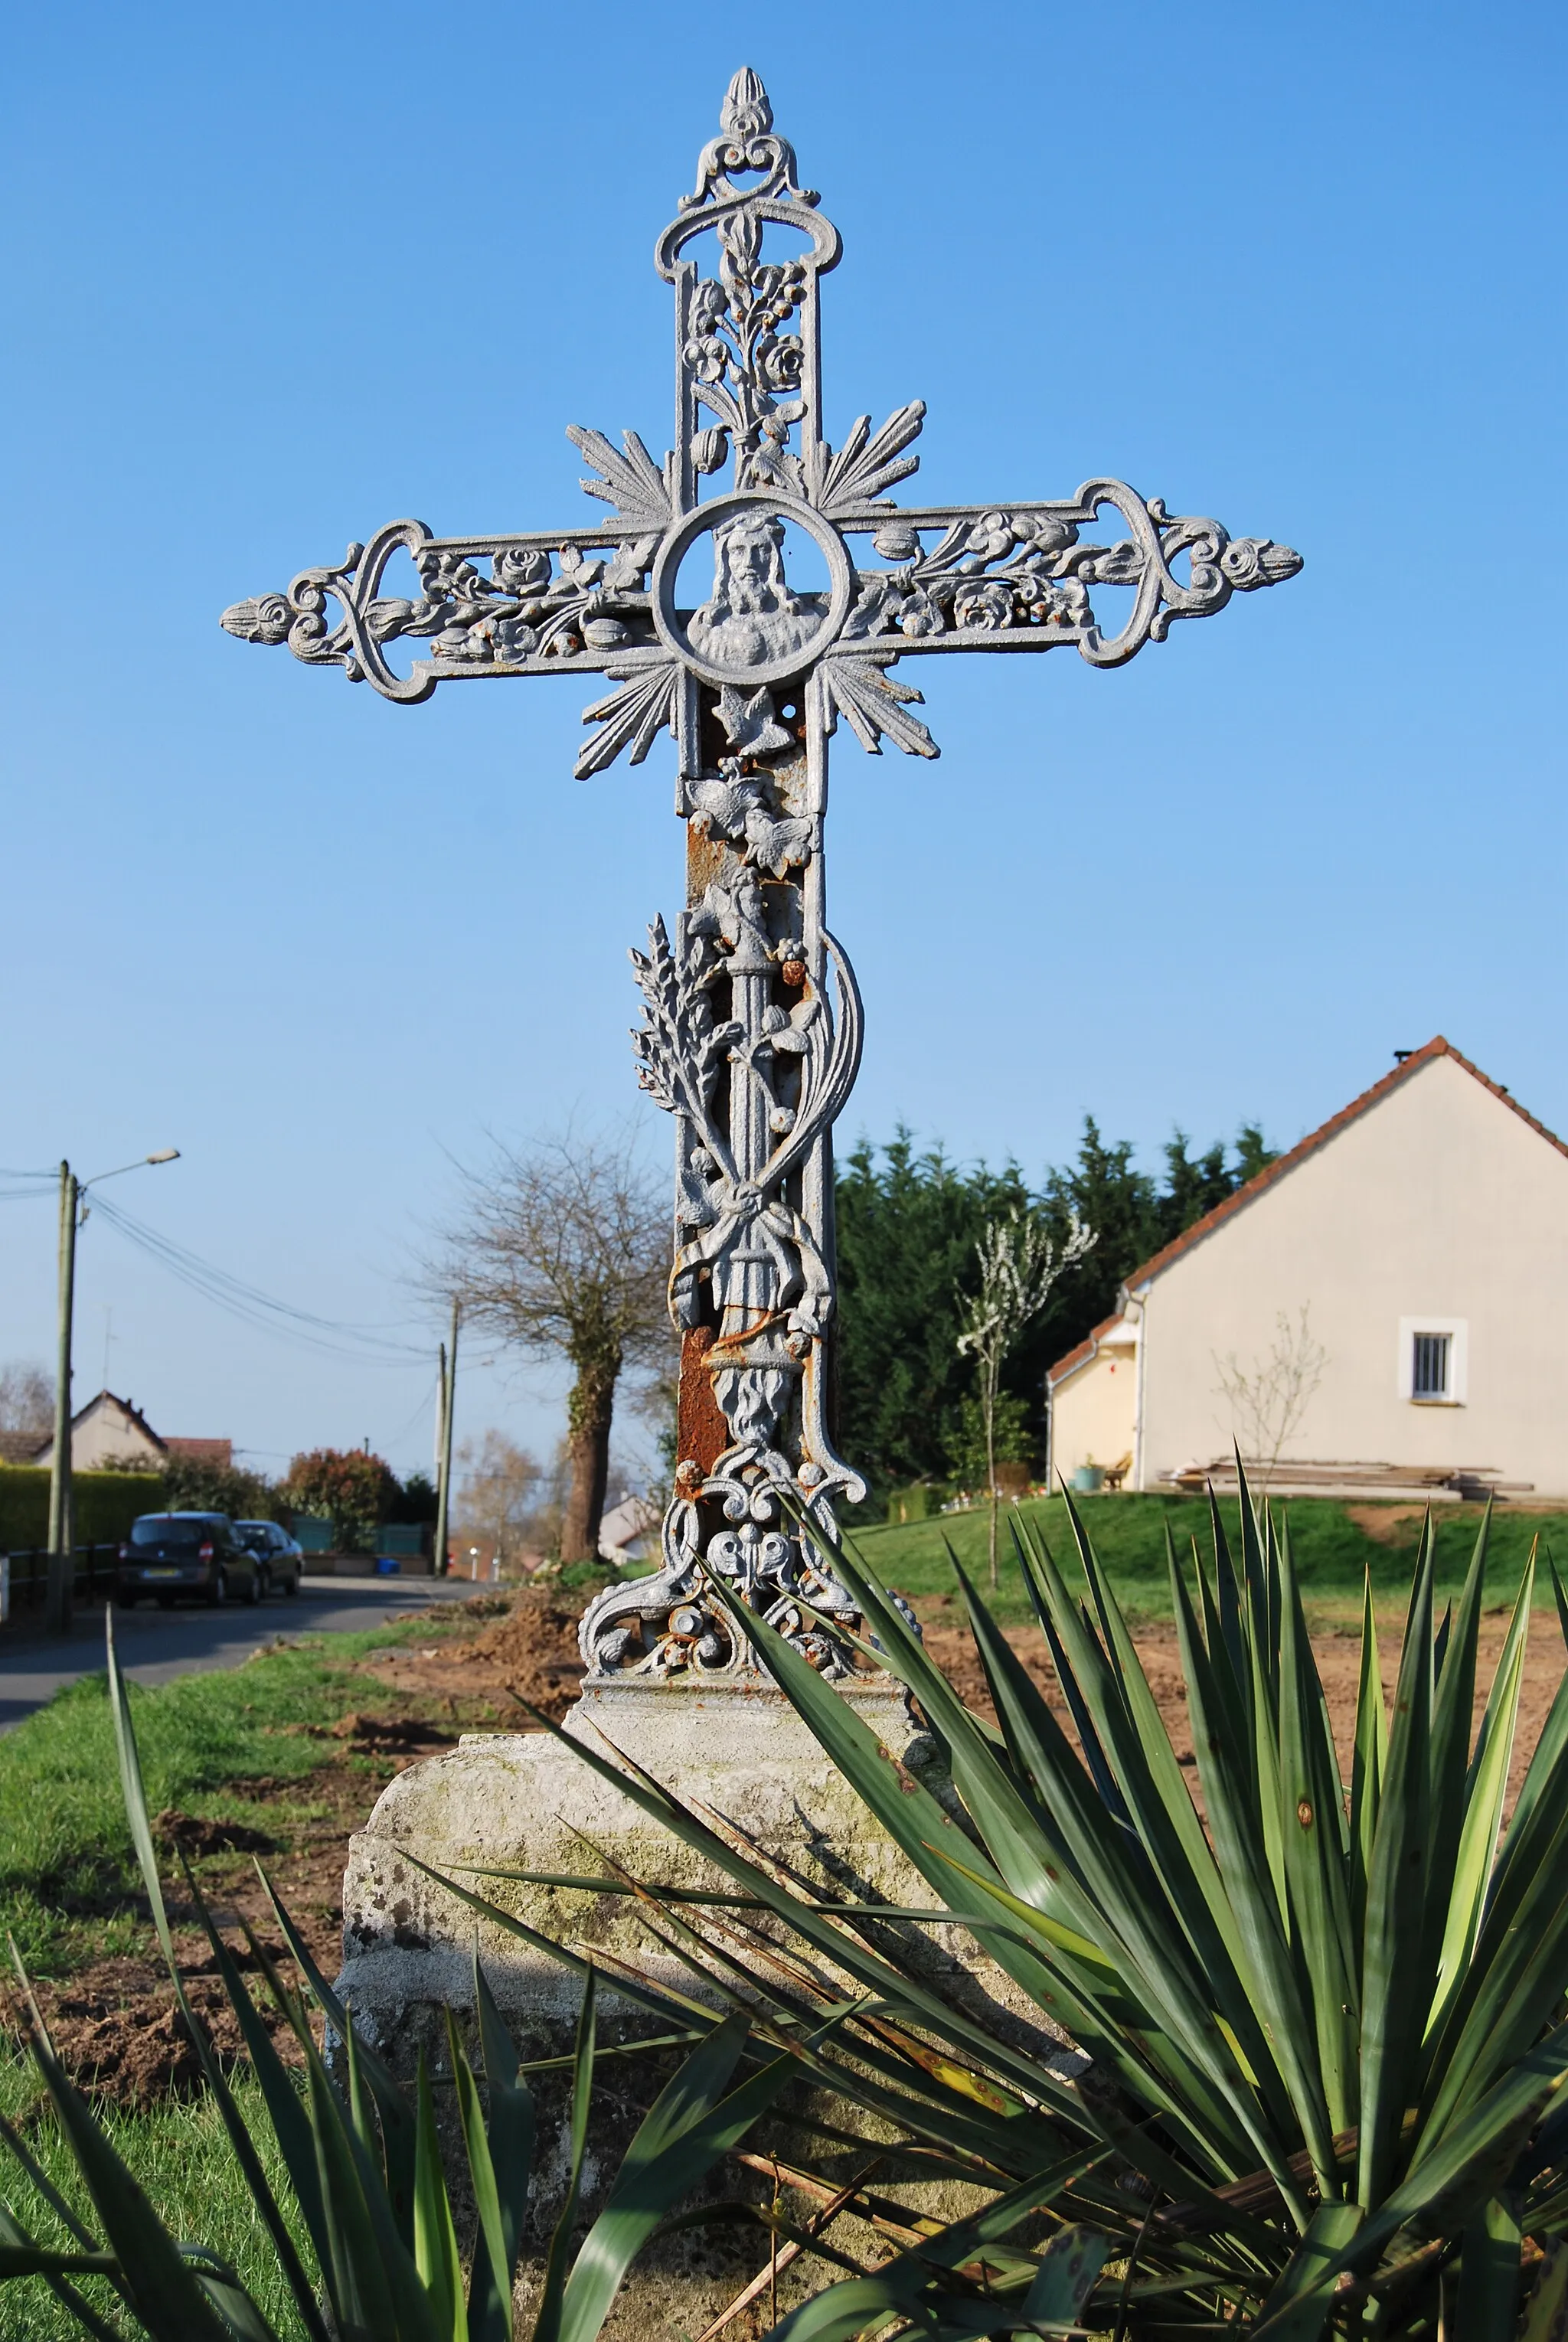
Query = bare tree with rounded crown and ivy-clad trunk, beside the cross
x=564 y=1252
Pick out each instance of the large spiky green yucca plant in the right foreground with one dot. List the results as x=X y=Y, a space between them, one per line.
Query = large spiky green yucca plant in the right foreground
x=1325 y=2015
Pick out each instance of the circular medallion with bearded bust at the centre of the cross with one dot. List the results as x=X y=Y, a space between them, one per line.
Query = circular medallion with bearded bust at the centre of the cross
x=754 y=629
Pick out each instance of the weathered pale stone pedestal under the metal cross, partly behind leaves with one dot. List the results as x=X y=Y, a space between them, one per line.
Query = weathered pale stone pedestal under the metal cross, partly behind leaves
x=526 y=1802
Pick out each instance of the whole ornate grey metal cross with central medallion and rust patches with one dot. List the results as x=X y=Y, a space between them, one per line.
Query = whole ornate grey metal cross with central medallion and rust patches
x=817 y=584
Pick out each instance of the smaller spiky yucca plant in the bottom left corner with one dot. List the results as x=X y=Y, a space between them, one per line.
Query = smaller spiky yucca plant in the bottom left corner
x=364 y=2165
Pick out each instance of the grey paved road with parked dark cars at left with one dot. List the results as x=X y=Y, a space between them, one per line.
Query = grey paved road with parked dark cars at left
x=161 y=1645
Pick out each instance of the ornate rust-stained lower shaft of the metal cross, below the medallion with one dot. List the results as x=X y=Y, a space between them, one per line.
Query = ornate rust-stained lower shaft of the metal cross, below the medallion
x=744 y=1048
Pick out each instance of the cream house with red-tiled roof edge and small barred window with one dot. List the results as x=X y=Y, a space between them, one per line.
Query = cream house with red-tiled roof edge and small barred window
x=1396 y=1285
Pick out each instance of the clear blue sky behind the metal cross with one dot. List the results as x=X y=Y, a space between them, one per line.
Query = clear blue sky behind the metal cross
x=278 y=278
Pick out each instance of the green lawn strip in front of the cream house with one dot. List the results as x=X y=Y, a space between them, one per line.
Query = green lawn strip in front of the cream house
x=1332 y=1547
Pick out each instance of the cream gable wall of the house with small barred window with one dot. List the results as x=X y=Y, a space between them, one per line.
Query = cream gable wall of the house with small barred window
x=1436 y=1210
